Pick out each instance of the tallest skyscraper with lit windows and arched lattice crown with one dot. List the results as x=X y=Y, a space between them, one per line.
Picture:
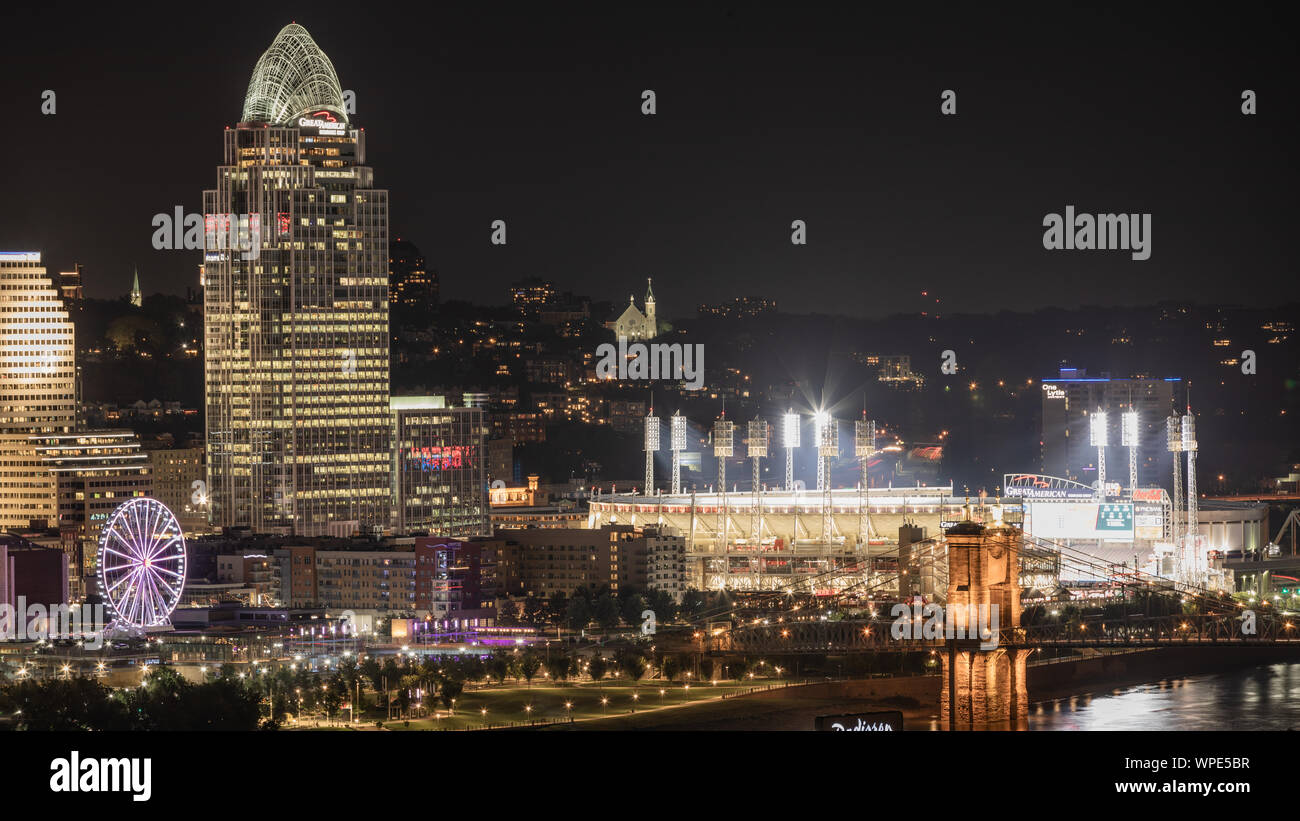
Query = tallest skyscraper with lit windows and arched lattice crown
x=297 y=310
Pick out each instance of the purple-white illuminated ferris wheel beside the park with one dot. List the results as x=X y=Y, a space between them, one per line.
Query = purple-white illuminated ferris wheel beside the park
x=141 y=564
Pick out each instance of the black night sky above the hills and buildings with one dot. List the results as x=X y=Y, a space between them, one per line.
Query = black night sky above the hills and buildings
x=534 y=116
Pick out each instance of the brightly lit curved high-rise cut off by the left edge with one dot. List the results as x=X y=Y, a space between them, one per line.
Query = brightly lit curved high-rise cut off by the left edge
x=38 y=388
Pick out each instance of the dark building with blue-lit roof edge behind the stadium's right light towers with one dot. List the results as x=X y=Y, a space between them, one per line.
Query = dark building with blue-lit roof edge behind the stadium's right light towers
x=1069 y=403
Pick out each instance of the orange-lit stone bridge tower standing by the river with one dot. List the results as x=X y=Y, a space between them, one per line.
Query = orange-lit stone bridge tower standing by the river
x=983 y=681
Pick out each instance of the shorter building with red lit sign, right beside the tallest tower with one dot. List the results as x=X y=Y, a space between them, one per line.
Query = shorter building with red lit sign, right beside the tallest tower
x=440 y=468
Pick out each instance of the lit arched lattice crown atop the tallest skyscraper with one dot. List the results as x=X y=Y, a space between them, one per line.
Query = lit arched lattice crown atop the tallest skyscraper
x=293 y=79
